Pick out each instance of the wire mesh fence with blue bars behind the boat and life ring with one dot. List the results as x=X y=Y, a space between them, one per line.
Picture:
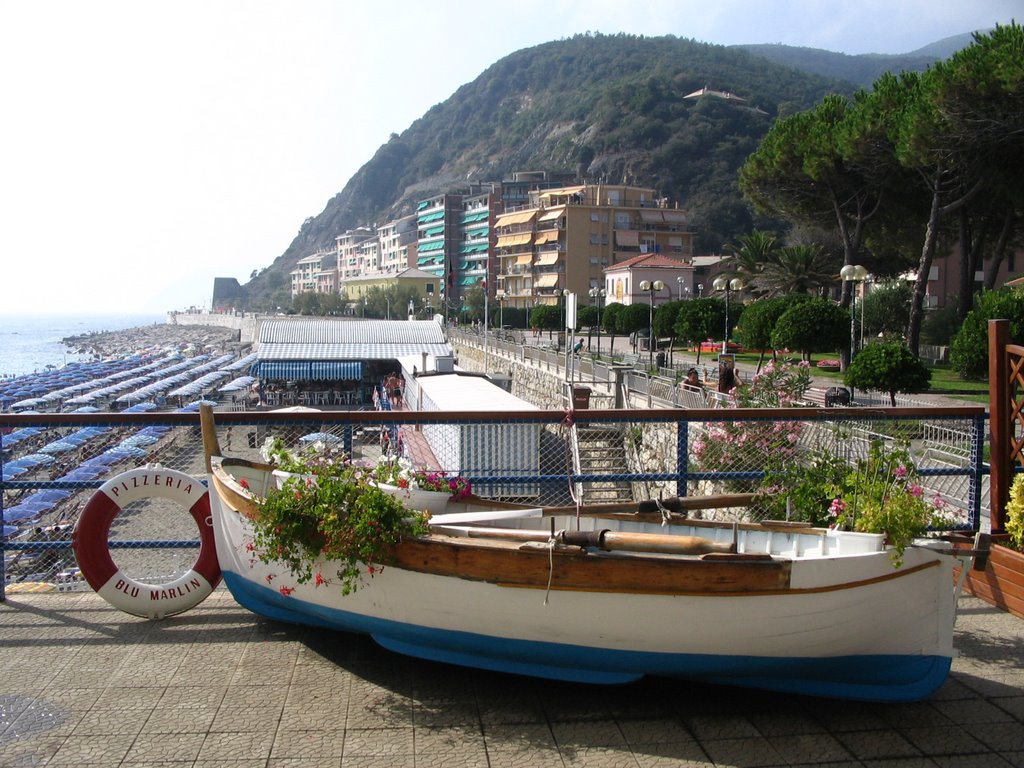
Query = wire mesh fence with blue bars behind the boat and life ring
x=552 y=458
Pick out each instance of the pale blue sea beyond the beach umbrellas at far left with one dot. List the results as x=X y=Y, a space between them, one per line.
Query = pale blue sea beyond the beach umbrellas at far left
x=33 y=344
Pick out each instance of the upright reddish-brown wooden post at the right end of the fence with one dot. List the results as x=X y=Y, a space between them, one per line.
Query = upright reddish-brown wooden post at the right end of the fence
x=1000 y=394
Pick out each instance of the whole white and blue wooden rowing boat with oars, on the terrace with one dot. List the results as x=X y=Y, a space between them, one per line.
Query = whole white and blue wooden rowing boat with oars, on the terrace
x=610 y=598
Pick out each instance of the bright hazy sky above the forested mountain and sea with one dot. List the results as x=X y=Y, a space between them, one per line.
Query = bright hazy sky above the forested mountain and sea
x=148 y=148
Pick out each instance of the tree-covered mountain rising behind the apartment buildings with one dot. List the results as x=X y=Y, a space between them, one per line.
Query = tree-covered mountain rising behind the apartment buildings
x=610 y=108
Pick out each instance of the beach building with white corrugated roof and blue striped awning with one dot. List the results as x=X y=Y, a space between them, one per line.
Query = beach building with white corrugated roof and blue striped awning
x=329 y=362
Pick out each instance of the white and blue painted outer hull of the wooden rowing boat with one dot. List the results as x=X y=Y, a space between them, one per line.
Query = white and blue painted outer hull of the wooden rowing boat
x=850 y=627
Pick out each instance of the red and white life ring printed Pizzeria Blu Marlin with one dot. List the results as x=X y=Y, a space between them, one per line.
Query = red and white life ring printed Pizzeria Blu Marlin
x=121 y=591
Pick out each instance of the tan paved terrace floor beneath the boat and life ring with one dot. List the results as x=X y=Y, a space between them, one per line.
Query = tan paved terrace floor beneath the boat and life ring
x=84 y=685
